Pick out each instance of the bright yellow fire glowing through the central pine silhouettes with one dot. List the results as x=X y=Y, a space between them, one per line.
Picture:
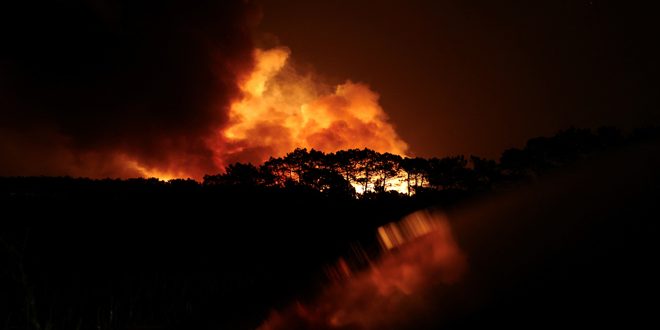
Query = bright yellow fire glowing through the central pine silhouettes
x=354 y=170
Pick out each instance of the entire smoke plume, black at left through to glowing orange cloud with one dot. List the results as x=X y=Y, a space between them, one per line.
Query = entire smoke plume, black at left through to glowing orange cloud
x=163 y=88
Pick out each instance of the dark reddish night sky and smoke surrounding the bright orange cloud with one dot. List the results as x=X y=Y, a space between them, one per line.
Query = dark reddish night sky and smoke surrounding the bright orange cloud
x=89 y=86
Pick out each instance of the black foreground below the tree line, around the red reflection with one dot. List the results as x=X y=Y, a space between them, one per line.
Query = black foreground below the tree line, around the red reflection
x=576 y=247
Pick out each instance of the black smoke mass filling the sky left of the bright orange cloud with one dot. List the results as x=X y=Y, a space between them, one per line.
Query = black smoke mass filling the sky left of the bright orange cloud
x=84 y=83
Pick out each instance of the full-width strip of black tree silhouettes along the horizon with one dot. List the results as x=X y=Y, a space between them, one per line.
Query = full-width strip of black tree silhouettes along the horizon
x=360 y=173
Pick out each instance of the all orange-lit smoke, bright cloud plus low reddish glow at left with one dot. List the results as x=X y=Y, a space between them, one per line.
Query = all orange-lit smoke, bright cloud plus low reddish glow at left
x=273 y=110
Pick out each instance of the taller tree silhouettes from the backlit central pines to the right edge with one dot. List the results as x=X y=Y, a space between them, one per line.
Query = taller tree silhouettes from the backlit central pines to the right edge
x=369 y=172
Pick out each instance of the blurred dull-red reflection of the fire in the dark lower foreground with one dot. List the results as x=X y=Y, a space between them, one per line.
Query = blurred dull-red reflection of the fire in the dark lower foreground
x=424 y=257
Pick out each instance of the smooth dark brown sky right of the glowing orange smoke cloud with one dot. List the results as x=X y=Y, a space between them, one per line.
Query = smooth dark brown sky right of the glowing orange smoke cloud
x=461 y=77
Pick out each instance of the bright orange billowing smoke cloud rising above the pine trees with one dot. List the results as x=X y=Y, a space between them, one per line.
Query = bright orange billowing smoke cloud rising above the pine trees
x=282 y=109
